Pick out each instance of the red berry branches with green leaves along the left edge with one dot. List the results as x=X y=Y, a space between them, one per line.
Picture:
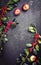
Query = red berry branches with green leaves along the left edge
x=5 y=24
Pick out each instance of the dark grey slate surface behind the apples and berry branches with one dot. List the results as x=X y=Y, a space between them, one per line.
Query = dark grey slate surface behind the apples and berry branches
x=19 y=36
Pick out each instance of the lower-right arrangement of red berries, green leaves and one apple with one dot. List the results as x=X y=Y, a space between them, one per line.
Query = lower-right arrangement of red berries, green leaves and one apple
x=30 y=55
